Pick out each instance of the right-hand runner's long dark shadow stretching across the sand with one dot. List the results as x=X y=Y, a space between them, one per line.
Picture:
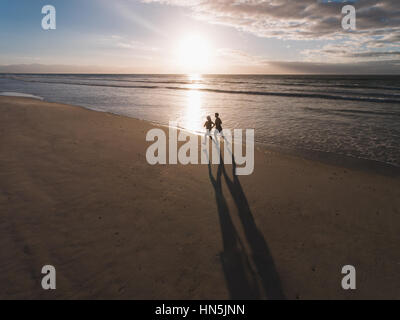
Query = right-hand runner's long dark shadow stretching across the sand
x=261 y=254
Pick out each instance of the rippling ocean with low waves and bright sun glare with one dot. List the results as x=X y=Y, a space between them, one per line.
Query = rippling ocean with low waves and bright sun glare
x=351 y=116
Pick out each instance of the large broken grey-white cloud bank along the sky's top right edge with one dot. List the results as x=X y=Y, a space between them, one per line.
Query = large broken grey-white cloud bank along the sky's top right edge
x=298 y=20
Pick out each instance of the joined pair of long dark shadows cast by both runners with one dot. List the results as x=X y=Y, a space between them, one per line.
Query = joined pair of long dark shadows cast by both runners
x=245 y=280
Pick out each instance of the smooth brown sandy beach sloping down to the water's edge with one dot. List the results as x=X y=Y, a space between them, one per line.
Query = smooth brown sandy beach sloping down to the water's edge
x=76 y=192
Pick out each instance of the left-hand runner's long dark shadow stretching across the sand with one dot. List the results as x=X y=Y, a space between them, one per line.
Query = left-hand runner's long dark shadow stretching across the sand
x=238 y=273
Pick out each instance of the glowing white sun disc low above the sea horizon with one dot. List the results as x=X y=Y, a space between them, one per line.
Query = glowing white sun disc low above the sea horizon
x=194 y=54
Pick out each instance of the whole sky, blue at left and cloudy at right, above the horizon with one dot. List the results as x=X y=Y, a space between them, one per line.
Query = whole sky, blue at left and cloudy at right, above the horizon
x=200 y=36
